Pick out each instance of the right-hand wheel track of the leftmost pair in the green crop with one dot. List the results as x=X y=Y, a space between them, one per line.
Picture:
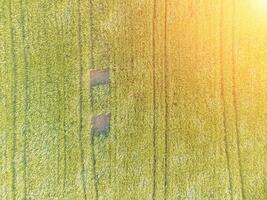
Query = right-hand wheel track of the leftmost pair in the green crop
x=26 y=129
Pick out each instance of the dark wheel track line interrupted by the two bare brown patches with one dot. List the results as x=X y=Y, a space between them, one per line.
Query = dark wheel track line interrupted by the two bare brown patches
x=91 y=99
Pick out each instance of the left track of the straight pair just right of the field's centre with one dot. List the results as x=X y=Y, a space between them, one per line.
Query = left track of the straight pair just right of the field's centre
x=154 y=100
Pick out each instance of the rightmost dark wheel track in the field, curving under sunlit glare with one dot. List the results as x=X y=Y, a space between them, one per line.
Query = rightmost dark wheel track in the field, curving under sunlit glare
x=234 y=92
